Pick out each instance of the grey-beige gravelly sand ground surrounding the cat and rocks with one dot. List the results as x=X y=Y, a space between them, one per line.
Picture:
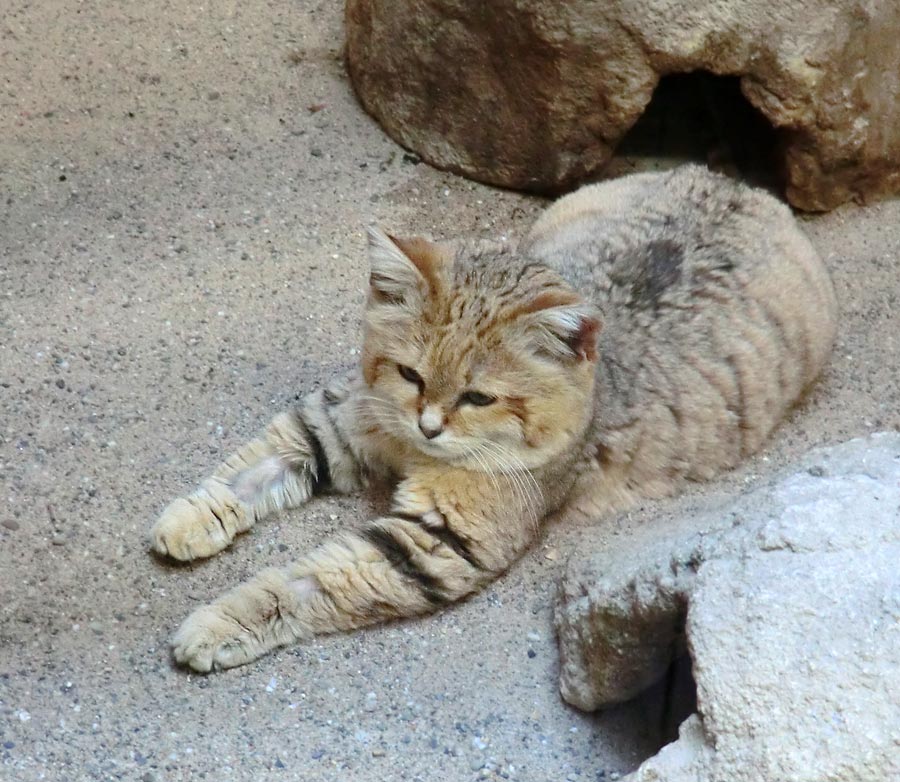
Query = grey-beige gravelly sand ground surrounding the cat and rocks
x=182 y=192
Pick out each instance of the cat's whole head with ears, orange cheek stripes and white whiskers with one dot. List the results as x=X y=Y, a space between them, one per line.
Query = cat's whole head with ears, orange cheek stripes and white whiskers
x=474 y=356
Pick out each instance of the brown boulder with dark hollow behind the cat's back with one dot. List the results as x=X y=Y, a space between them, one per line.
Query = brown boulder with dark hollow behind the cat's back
x=536 y=95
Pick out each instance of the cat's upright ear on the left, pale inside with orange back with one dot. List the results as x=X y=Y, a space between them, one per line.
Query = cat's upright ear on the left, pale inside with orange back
x=402 y=270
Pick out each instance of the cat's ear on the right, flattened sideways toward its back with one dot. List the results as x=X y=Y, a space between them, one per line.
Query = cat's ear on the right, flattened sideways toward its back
x=568 y=330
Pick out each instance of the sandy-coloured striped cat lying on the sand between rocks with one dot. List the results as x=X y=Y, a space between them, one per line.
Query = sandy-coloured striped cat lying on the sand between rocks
x=648 y=331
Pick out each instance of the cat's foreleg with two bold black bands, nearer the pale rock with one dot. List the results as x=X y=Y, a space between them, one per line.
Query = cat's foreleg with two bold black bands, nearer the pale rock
x=427 y=553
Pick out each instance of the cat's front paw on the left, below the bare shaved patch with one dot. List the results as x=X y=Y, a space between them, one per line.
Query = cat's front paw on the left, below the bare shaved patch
x=198 y=526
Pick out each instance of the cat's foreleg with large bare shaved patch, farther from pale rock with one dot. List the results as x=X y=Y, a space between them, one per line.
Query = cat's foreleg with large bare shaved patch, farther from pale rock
x=298 y=454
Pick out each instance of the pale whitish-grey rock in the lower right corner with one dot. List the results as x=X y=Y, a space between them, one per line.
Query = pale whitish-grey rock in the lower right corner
x=790 y=610
